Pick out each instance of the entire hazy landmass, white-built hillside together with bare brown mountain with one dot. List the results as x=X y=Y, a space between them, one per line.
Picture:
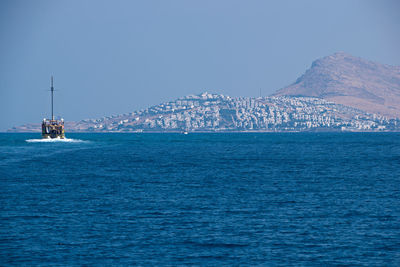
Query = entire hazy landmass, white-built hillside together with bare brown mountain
x=306 y=105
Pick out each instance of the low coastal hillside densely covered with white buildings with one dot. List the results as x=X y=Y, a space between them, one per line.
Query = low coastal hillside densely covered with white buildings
x=219 y=113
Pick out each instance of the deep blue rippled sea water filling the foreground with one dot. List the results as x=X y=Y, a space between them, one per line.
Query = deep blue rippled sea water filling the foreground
x=201 y=199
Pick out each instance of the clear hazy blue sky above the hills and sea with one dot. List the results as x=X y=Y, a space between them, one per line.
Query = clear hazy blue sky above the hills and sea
x=112 y=57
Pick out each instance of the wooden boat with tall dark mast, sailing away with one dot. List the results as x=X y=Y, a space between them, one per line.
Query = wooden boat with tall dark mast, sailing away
x=52 y=128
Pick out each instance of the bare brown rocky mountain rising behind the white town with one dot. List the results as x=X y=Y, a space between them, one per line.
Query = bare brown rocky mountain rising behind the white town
x=351 y=81
